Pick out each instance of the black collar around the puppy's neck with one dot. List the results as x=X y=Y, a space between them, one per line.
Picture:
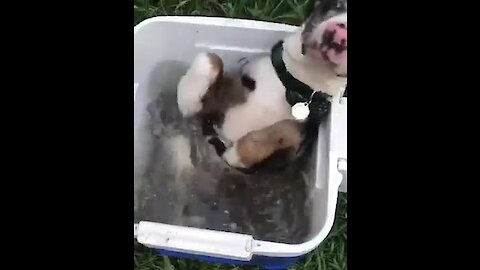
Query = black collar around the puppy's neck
x=296 y=91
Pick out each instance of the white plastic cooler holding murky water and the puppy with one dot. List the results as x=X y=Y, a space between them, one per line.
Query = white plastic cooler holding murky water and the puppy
x=179 y=39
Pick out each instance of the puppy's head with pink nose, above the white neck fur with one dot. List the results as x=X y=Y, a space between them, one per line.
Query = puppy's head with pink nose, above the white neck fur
x=324 y=34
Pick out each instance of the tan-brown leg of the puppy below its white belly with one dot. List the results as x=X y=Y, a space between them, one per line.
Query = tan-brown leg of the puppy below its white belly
x=258 y=145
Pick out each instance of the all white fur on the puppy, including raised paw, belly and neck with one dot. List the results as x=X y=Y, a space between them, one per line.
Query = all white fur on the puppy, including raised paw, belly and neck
x=267 y=104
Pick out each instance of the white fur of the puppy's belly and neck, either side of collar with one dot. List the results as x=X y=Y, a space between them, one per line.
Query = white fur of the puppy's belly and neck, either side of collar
x=267 y=104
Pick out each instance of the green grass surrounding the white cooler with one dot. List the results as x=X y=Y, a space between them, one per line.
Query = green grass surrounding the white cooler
x=332 y=253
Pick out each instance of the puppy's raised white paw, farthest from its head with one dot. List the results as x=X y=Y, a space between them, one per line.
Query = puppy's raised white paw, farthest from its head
x=194 y=84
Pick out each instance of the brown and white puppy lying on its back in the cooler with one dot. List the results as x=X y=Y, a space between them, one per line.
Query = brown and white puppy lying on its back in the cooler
x=249 y=110
